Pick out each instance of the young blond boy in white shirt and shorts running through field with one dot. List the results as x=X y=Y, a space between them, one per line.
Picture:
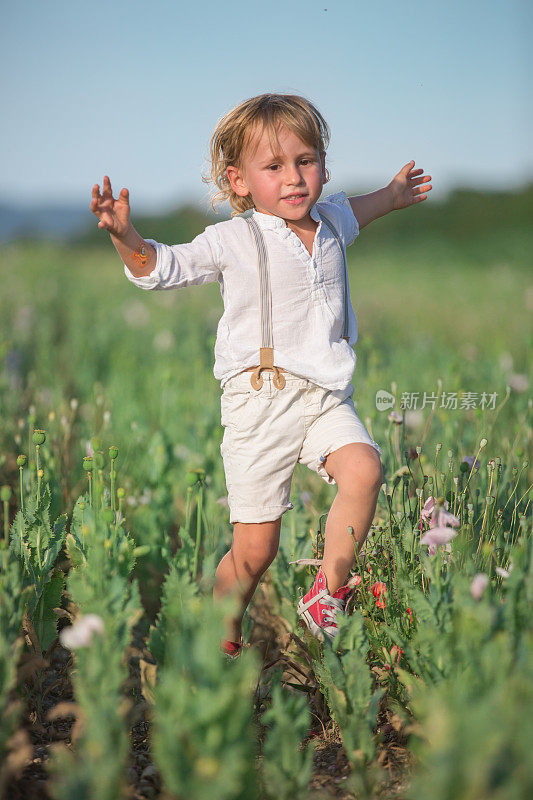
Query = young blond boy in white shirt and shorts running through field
x=283 y=351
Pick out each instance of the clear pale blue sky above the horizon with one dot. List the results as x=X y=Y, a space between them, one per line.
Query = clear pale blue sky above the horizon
x=134 y=90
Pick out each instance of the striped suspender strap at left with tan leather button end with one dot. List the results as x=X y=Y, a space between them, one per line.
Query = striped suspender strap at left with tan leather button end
x=266 y=351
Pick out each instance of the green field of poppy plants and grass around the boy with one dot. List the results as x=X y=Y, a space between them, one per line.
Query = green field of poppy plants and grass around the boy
x=86 y=354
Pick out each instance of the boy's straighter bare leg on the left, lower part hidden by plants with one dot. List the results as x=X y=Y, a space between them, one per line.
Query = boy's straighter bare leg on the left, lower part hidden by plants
x=254 y=548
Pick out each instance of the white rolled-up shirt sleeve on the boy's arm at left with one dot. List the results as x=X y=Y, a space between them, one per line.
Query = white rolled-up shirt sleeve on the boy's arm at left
x=181 y=265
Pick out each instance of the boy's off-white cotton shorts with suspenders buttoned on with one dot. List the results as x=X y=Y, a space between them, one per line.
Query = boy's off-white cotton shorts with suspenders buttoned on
x=268 y=431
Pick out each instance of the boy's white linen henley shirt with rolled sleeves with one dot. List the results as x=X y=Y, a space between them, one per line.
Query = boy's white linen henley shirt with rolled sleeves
x=307 y=292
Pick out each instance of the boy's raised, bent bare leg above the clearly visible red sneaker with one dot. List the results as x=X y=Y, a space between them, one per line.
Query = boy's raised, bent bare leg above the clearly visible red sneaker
x=357 y=471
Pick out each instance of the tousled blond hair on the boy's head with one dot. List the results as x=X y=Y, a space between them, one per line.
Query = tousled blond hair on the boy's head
x=233 y=135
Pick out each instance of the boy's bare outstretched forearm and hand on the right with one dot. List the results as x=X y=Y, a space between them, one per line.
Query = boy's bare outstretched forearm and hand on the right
x=404 y=190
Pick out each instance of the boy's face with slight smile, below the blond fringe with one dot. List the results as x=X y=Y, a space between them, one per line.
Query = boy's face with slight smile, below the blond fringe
x=287 y=184
